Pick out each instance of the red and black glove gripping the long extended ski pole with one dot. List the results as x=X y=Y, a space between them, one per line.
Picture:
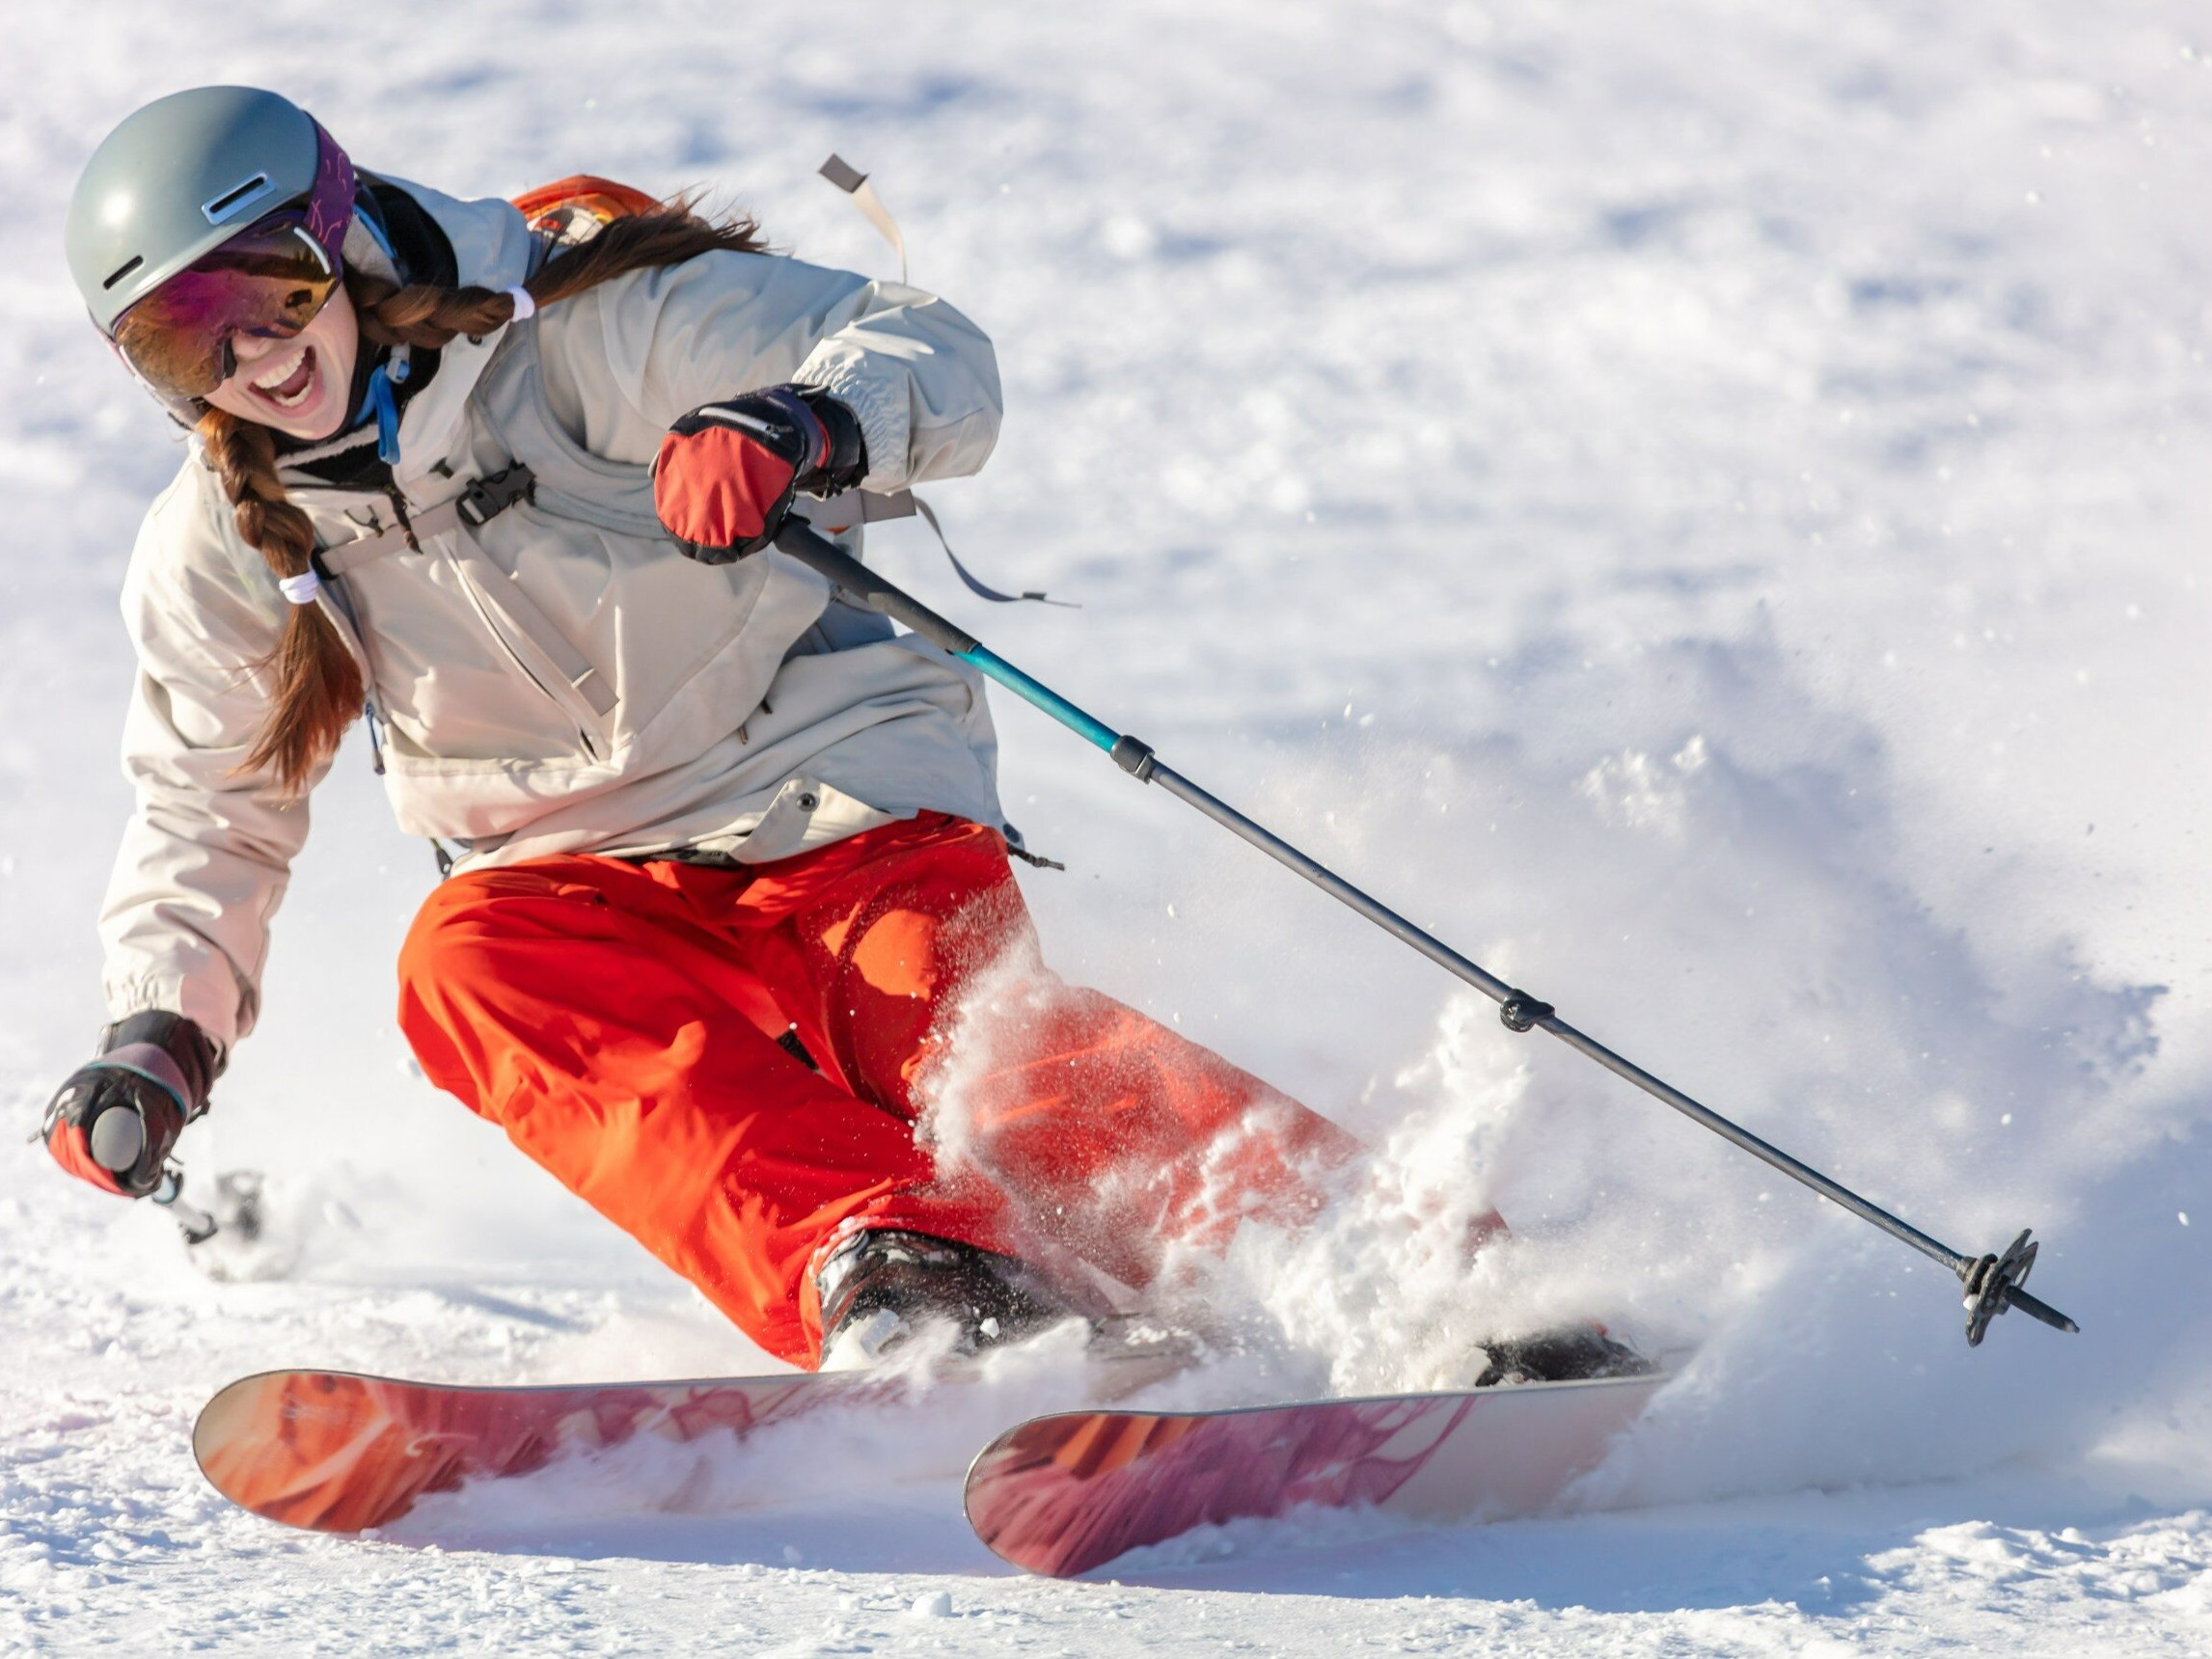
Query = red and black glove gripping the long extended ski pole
x=727 y=474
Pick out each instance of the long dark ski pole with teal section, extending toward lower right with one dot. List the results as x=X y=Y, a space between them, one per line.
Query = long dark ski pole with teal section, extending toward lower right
x=1992 y=1282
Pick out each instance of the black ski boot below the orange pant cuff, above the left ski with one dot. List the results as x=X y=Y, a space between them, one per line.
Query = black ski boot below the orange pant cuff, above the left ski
x=884 y=1286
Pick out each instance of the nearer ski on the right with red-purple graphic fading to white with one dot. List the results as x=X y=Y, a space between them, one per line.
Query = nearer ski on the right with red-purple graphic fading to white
x=1072 y=1492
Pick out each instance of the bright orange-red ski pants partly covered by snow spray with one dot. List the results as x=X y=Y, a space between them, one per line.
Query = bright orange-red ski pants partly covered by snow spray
x=620 y=1021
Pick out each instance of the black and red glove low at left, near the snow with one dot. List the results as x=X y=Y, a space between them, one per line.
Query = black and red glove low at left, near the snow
x=116 y=1120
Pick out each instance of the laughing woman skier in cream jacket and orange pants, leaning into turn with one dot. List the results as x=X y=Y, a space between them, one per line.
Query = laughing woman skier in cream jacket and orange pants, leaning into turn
x=727 y=855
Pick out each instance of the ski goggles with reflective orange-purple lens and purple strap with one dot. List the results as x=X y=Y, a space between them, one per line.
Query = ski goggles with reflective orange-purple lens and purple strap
x=267 y=282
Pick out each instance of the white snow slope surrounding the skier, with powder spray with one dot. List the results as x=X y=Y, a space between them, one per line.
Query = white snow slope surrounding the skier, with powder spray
x=1702 y=505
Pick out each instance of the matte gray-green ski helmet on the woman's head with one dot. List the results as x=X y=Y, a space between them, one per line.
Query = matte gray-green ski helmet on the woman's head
x=178 y=180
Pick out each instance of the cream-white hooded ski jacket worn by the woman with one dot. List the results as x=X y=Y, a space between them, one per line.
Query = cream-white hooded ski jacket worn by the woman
x=559 y=678
